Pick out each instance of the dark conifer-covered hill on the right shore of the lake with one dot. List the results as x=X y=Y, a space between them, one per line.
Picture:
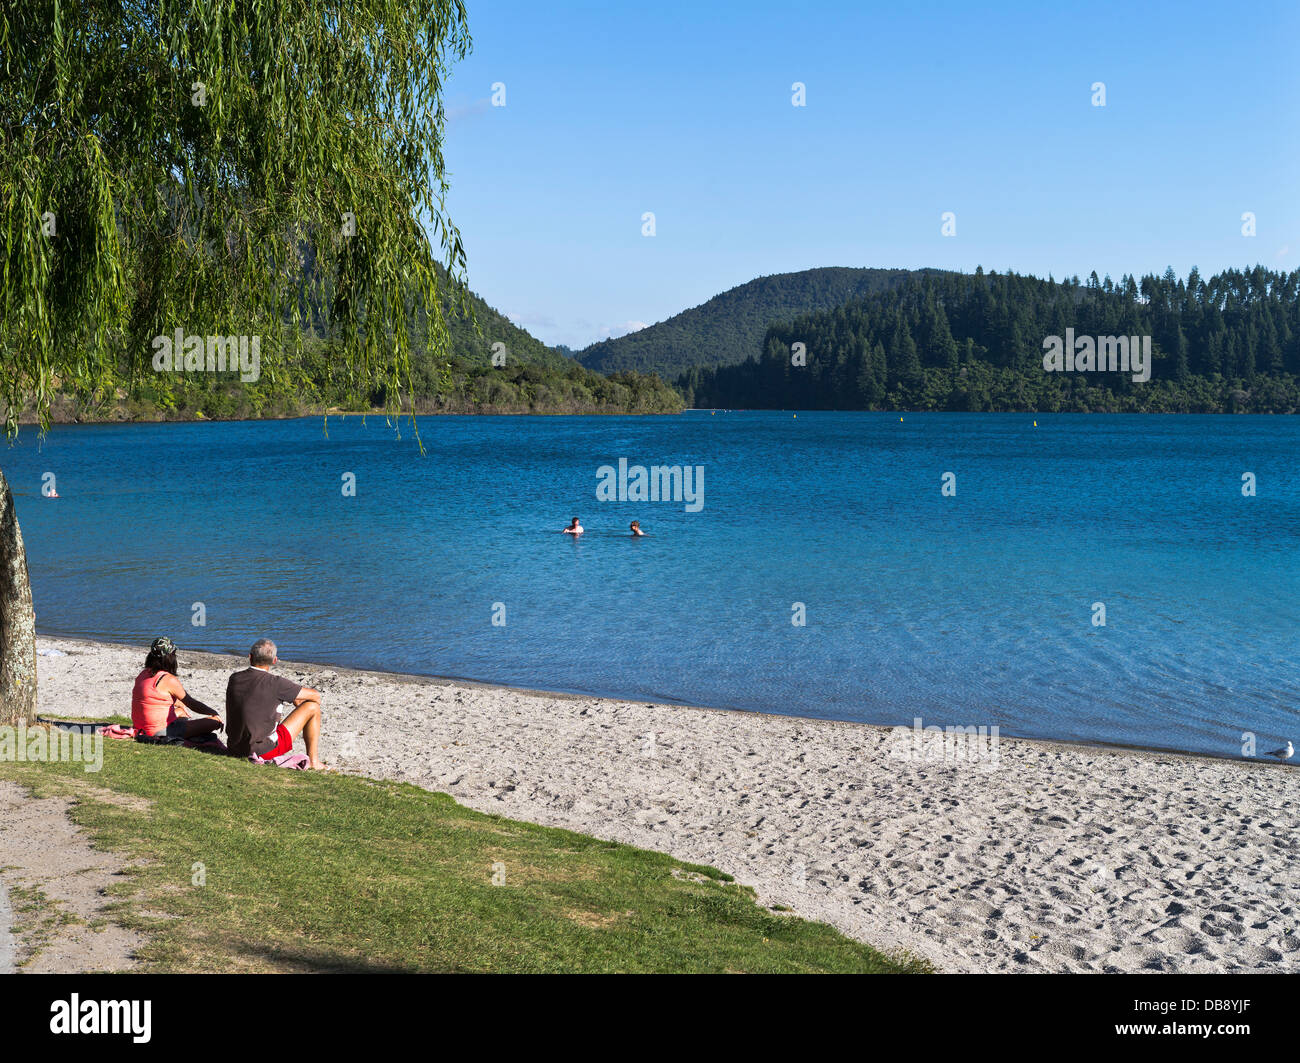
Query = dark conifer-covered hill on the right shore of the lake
x=976 y=342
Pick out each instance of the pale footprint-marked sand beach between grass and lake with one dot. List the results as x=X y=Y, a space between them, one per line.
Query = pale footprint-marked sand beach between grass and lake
x=1061 y=858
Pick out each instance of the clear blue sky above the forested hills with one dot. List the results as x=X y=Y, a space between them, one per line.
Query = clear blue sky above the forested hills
x=912 y=110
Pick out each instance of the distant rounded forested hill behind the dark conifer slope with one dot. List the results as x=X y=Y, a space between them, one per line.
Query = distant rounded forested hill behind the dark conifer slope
x=730 y=328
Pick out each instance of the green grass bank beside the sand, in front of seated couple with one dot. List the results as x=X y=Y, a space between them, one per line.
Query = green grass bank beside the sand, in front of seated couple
x=326 y=873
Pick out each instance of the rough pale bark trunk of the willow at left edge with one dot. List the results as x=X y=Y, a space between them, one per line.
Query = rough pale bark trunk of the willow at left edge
x=18 y=621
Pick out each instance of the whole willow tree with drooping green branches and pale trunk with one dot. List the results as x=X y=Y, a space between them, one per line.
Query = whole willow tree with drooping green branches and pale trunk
x=171 y=164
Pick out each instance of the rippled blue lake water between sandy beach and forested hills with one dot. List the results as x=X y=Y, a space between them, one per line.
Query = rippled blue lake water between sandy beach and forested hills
x=968 y=610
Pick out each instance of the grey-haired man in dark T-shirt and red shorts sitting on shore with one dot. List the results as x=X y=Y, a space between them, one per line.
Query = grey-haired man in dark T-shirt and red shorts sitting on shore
x=254 y=697
